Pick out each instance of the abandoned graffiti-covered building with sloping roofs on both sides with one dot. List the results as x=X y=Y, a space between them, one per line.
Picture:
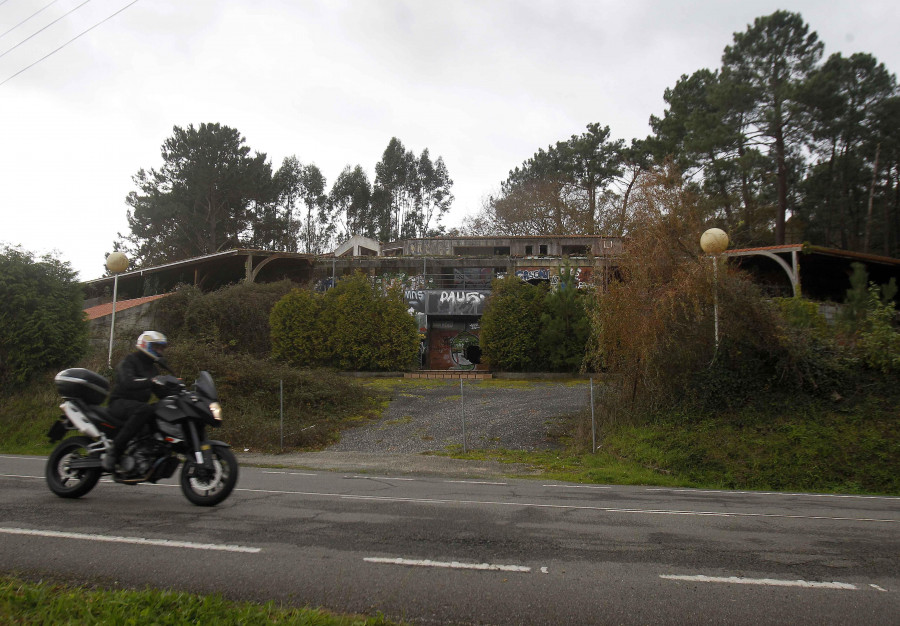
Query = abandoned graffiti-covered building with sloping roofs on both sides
x=447 y=280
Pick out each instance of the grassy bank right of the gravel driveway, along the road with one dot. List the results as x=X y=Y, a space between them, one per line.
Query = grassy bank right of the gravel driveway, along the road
x=797 y=444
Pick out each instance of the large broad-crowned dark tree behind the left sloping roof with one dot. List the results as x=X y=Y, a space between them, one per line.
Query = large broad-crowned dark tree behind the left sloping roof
x=199 y=201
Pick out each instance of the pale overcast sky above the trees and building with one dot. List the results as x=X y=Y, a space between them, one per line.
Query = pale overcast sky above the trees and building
x=481 y=83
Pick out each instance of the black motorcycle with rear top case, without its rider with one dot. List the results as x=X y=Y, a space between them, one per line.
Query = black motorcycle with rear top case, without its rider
x=176 y=434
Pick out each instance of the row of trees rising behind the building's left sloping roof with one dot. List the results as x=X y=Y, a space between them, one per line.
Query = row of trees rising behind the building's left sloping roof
x=213 y=193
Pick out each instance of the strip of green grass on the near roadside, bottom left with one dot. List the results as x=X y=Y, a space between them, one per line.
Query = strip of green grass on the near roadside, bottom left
x=27 y=602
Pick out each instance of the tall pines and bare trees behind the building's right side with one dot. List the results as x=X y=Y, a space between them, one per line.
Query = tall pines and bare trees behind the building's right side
x=778 y=145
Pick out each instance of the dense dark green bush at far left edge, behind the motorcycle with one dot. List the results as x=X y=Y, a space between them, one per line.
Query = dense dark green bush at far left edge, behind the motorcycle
x=42 y=324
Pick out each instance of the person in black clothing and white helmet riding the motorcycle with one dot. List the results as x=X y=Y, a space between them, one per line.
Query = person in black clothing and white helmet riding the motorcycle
x=130 y=397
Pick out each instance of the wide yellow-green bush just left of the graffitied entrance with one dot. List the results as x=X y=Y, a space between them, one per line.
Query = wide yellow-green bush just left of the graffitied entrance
x=354 y=326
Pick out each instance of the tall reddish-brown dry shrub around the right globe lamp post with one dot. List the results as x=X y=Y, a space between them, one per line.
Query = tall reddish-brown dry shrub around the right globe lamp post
x=654 y=325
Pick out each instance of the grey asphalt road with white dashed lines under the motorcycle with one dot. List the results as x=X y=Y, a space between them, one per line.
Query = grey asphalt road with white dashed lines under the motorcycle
x=437 y=549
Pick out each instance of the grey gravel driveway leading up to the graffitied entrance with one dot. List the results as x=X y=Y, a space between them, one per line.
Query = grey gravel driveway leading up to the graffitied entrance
x=498 y=414
